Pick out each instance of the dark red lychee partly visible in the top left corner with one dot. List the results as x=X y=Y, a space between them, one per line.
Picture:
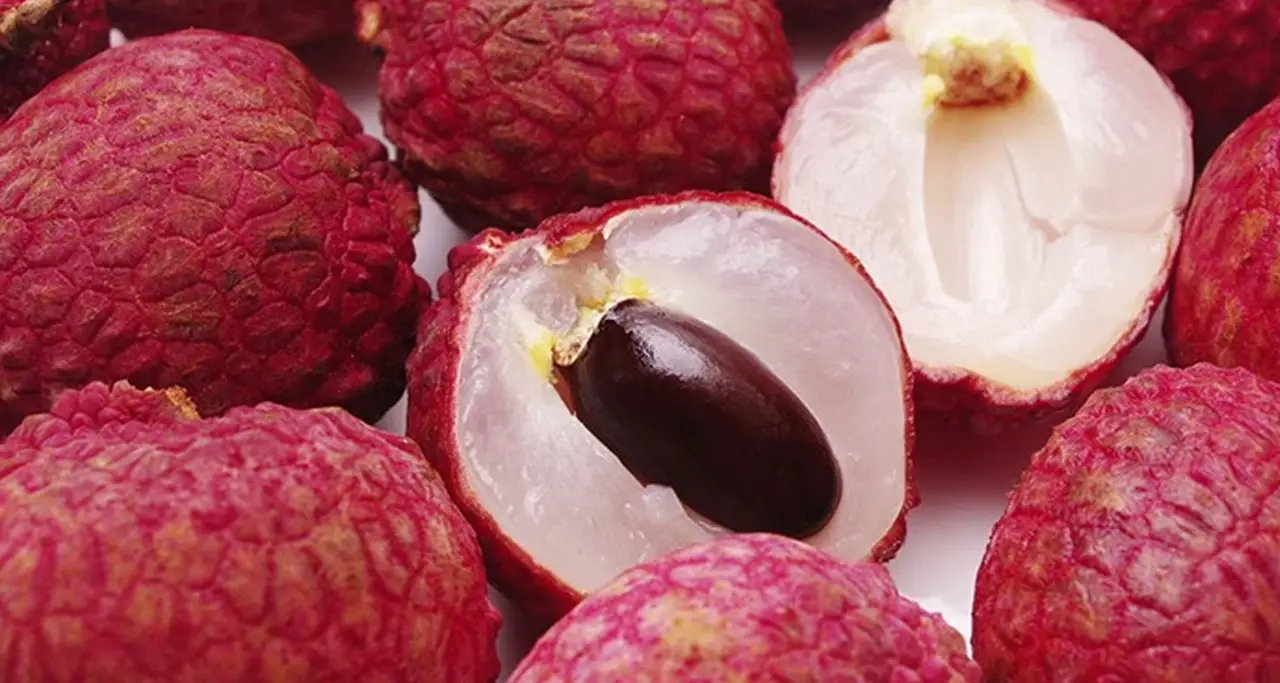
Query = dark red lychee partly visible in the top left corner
x=40 y=40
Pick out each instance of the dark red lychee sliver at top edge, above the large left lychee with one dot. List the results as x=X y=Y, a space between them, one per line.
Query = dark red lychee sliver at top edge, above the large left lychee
x=289 y=22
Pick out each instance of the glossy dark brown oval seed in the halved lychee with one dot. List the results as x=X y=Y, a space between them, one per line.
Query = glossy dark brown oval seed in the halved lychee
x=682 y=405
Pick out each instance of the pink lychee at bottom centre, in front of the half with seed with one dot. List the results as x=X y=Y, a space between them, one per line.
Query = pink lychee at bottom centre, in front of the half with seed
x=751 y=608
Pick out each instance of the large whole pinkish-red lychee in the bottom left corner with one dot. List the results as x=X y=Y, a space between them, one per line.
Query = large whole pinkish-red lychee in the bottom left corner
x=140 y=544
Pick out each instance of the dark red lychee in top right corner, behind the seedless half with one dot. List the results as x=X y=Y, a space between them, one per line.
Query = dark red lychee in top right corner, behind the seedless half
x=1224 y=58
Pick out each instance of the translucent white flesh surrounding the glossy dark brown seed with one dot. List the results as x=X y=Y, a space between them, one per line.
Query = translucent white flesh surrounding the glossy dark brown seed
x=774 y=286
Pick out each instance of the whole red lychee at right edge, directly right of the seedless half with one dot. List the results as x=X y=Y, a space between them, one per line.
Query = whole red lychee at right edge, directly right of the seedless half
x=1224 y=306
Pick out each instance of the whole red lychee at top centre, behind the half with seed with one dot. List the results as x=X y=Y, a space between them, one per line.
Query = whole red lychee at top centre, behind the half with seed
x=513 y=112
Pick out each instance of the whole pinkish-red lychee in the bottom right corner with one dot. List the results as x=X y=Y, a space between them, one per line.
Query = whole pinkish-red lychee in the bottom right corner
x=1140 y=546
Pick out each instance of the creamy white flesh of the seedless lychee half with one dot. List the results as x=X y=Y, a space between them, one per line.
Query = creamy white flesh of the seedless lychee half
x=1018 y=242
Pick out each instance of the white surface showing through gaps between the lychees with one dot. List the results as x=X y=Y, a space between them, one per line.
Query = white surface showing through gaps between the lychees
x=963 y=480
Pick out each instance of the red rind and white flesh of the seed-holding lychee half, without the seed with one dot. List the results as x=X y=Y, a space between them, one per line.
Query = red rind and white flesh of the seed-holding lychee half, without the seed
x=557 y=512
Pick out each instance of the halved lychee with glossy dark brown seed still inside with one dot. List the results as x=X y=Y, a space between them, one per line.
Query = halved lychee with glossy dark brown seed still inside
x=629 y=381
